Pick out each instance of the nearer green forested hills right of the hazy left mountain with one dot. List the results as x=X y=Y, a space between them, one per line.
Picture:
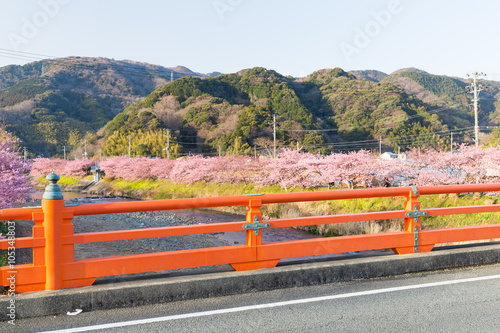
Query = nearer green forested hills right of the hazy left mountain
x=326 y=111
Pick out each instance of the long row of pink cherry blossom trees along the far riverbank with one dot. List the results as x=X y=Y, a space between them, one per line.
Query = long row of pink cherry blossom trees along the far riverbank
x=294 y=168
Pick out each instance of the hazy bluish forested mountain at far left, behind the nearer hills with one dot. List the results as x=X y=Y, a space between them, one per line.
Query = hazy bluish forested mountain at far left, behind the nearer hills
x=74 y=97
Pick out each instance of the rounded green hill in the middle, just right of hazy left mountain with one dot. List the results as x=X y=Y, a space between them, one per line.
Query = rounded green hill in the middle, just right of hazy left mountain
x=230 y=113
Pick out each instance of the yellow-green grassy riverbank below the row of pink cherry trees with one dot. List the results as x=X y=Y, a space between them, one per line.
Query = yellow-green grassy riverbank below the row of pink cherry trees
x=150 y=189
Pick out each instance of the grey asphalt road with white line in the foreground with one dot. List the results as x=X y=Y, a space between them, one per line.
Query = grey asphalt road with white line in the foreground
x=460 y=300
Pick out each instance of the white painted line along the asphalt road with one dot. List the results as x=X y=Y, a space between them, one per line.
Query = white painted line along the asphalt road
x=270 y=305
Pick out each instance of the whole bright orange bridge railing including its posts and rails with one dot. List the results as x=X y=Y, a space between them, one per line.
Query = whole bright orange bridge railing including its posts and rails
x=53 y=238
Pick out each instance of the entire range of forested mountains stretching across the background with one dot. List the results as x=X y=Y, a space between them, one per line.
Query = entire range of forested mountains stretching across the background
x=113 y=104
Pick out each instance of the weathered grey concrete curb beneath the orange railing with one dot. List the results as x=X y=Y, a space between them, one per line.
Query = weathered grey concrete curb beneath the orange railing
x=161 y=290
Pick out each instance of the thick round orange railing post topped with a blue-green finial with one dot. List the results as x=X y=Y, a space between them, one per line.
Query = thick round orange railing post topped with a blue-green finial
x=52 y=207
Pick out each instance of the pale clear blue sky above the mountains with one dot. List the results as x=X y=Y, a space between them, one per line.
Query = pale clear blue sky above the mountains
x=292 y=37
